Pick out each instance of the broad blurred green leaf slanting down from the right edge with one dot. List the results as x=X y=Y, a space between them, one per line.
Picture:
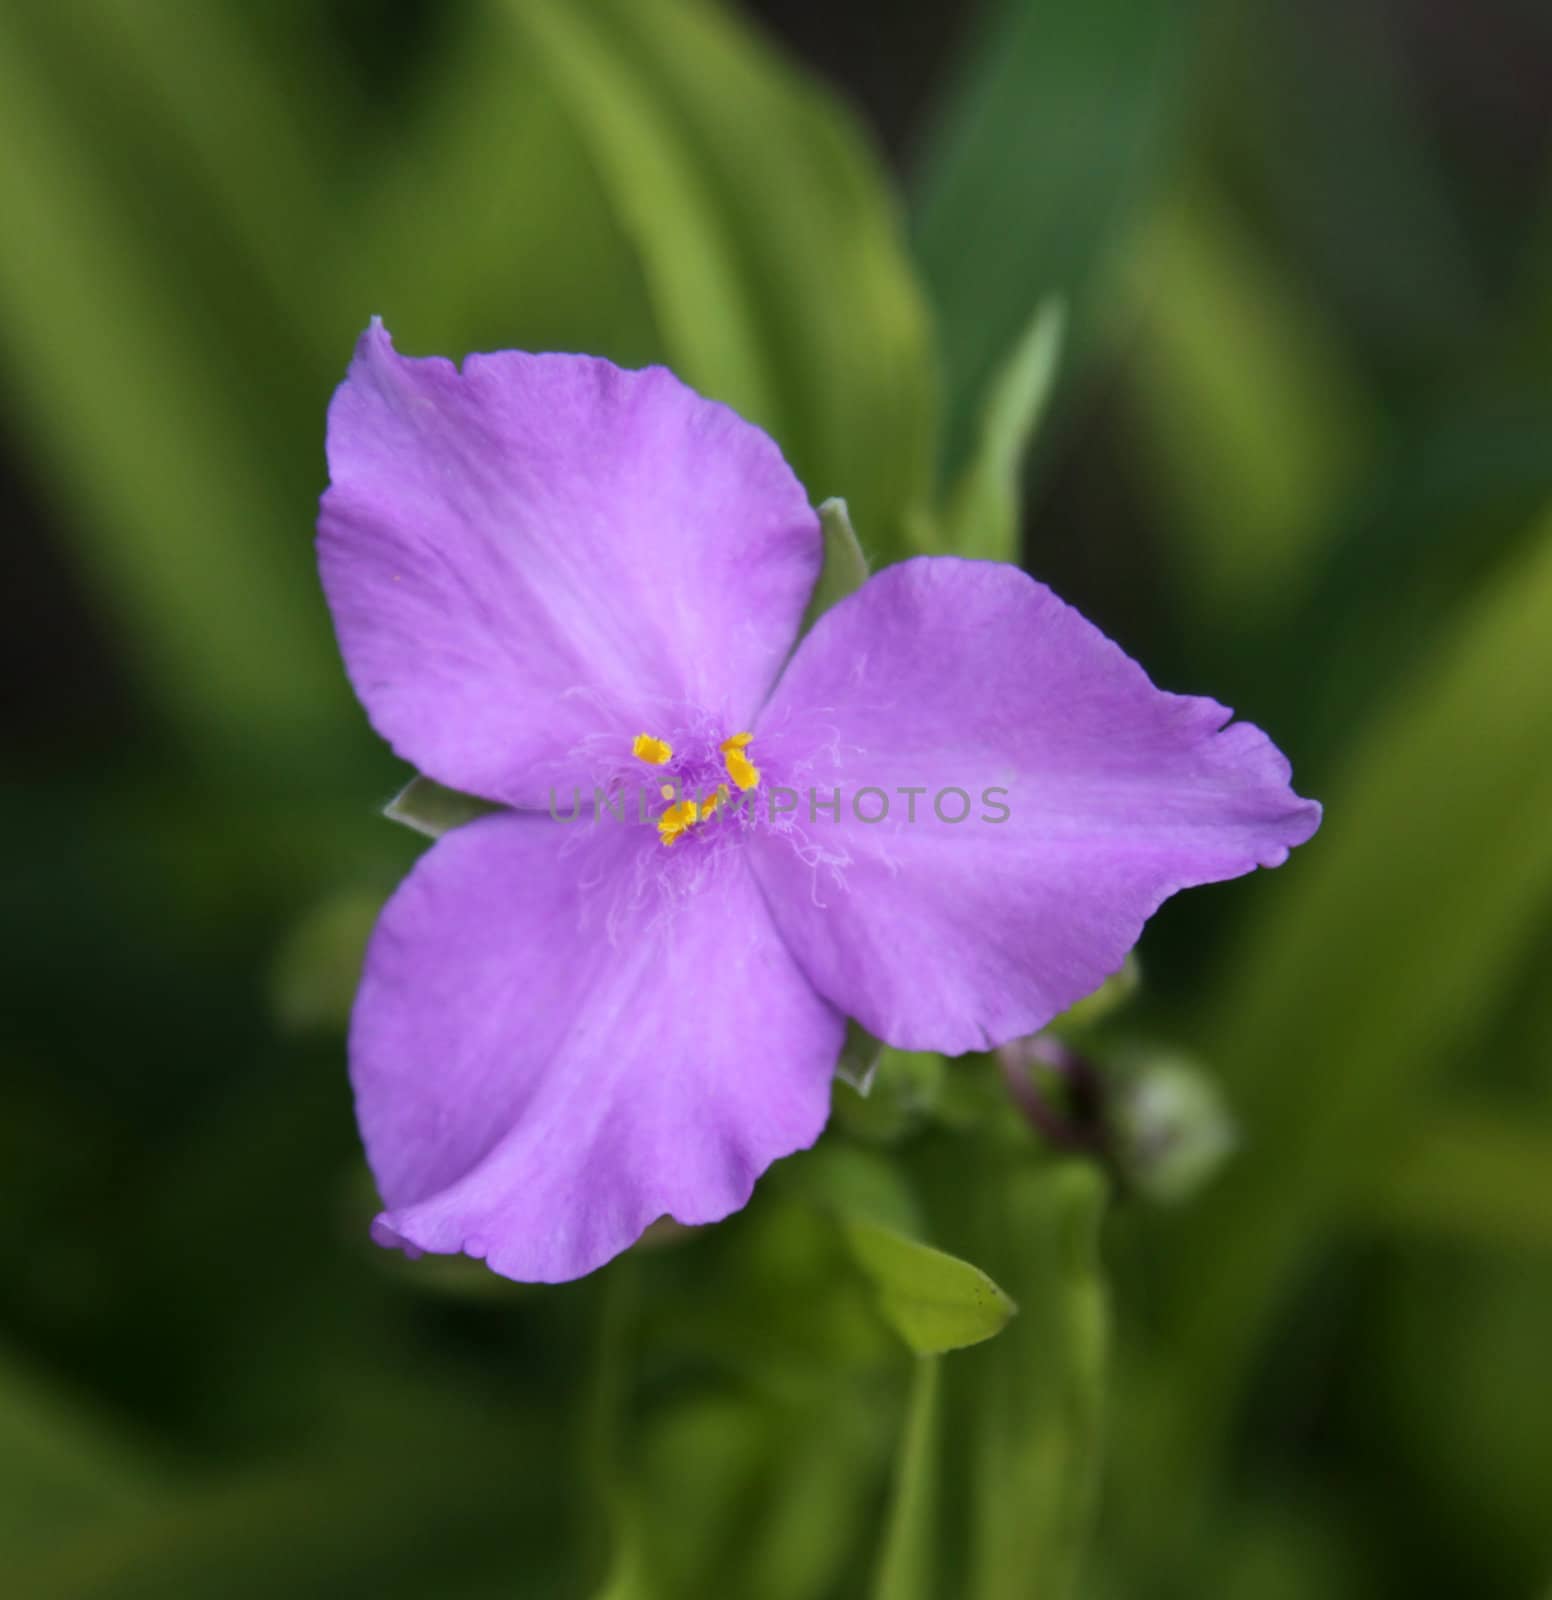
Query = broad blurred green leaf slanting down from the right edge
x=1378 y=956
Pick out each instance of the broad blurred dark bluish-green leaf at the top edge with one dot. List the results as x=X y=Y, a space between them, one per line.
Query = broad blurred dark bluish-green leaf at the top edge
x=1041 y=164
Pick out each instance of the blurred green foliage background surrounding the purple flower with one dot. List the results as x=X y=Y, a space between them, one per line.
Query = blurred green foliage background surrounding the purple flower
x=1298 y=457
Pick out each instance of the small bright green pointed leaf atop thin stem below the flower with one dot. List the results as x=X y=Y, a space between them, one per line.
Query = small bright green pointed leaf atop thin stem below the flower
x=934 y=1300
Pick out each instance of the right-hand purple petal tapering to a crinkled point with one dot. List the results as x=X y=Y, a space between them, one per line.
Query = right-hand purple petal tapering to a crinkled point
x=967 y=676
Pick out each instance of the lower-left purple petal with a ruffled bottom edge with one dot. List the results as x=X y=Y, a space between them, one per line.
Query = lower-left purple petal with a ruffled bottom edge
x=558 y=1041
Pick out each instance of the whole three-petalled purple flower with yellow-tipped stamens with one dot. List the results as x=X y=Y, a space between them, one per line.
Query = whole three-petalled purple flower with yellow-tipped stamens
x=551 y=580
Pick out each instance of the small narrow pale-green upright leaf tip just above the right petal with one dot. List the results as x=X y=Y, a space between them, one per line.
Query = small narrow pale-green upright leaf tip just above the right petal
x=985 y=514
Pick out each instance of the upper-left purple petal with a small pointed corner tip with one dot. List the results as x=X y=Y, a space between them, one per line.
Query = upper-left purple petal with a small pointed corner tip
x=532 y=559
